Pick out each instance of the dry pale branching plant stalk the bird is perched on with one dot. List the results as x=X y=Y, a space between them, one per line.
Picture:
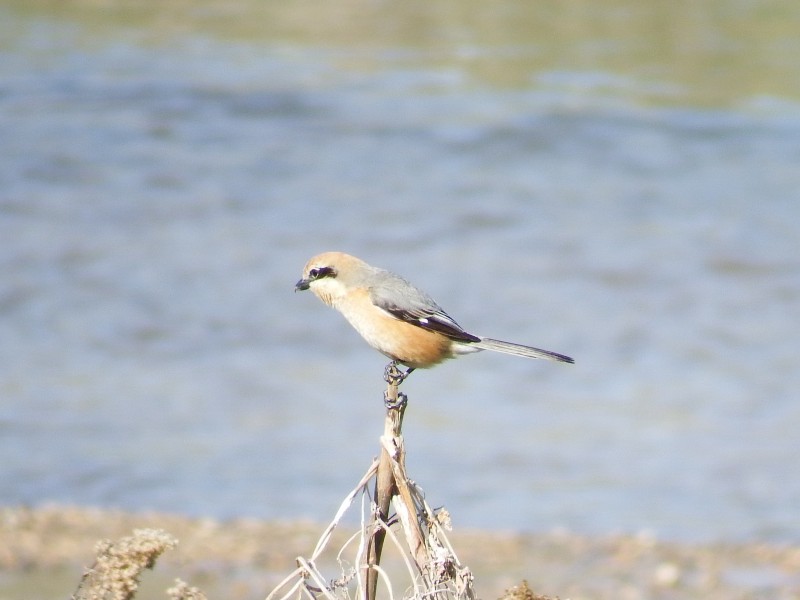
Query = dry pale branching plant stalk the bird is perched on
x=432 y=567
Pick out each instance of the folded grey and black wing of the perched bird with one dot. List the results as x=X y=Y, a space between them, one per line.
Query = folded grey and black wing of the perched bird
x=405 y=302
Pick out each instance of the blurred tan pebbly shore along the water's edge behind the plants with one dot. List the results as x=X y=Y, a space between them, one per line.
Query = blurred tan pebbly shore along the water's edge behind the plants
x=44 y=551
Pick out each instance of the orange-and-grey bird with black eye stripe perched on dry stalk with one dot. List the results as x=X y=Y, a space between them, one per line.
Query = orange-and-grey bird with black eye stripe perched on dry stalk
x=395 y=317
